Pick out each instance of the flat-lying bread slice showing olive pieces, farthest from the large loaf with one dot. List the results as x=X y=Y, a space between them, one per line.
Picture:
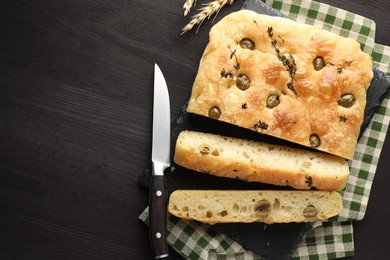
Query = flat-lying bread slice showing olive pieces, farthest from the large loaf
x=268 y=206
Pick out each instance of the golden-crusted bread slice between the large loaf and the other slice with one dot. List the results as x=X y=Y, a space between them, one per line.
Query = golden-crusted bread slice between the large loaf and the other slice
x=260 y=162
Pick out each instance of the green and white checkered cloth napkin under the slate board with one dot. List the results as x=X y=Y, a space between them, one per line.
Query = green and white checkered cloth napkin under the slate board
x=326 y=240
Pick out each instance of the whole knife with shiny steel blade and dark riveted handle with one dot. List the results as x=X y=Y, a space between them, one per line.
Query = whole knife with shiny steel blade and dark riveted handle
x=160 y=161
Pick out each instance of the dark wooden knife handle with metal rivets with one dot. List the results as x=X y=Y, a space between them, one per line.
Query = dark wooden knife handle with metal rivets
x=158 y=216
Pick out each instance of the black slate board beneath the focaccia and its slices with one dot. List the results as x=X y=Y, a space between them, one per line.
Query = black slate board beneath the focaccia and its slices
x=275 y=241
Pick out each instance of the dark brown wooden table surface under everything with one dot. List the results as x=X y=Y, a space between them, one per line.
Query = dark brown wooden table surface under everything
x=76 y=82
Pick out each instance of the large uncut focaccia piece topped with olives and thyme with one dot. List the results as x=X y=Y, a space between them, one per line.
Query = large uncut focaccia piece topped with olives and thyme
x=285 y=79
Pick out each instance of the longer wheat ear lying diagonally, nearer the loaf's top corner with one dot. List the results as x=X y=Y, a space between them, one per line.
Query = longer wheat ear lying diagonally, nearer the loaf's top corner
x=206 y=11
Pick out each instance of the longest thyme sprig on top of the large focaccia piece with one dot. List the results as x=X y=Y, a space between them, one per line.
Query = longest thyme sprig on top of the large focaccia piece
x=288 y=61
